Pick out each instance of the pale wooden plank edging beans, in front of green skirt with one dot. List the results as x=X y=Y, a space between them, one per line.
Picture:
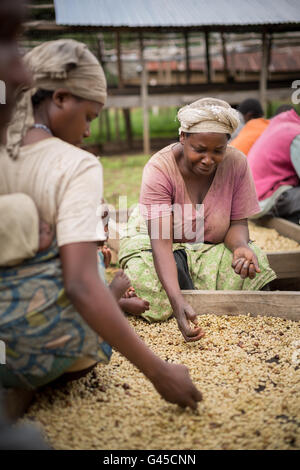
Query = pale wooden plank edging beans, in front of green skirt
x=257 y=303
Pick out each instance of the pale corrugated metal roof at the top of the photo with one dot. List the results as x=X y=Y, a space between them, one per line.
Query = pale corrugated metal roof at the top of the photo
x=175 y=13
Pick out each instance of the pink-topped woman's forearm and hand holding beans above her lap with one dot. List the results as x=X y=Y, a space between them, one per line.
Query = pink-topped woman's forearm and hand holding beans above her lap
x=244 y=260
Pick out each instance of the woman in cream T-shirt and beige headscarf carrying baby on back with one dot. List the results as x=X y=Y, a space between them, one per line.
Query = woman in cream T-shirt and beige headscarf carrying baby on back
x=54 y=307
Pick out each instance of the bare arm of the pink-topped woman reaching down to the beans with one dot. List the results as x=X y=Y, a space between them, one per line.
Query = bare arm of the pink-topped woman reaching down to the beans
x=166 y=269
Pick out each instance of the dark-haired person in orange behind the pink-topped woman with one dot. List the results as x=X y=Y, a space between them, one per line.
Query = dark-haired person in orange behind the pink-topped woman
x=253 y=125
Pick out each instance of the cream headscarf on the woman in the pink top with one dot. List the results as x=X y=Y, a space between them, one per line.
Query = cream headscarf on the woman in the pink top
x=208 y=115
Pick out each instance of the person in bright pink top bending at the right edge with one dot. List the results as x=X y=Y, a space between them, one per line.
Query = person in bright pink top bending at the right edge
x=275 y=163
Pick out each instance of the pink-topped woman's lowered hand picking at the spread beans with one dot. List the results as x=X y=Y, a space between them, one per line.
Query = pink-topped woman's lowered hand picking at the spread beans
x=185 y=315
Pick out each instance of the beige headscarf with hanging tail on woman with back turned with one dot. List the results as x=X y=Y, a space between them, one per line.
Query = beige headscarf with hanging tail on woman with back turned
x=64 y=63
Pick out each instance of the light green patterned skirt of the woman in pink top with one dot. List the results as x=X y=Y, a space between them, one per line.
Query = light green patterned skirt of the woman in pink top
x=209 y=268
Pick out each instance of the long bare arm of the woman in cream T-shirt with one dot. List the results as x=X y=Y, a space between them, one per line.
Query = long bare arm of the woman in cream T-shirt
x=93 y=300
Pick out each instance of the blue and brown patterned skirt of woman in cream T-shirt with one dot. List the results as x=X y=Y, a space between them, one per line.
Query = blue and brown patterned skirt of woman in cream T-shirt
x=43 y=333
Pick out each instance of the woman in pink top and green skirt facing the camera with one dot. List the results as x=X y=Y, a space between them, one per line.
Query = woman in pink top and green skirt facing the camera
x=208 y=250
